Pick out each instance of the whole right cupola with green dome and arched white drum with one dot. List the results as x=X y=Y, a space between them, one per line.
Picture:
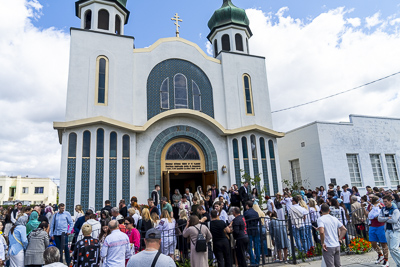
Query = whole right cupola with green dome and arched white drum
x=229 y=29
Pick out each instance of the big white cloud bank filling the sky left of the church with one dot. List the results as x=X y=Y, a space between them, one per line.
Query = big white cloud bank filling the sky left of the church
x=33 y=90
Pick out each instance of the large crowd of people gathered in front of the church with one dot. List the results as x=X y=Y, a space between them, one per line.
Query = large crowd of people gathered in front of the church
x=227 y=226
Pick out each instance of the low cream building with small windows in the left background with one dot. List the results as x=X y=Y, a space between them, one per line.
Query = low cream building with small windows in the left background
x=25 y=189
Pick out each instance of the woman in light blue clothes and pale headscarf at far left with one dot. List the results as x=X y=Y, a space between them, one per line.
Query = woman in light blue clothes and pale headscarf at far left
x=18 y=243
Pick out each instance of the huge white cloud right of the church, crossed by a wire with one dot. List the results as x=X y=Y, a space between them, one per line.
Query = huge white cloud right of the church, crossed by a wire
x=313 y=59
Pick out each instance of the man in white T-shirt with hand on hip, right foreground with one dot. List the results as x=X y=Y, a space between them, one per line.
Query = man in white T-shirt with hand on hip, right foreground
x=328 y=228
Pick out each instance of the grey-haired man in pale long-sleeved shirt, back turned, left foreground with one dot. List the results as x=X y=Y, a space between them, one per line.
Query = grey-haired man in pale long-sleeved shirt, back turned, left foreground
x=116 y=247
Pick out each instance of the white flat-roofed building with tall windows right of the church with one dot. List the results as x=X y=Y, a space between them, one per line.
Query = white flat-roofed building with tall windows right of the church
x=364 y=151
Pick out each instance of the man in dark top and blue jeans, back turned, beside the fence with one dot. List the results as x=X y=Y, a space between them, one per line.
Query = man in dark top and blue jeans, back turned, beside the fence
x=252 y=220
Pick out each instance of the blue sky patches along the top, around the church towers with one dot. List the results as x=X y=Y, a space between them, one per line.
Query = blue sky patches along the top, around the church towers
x=150 y=19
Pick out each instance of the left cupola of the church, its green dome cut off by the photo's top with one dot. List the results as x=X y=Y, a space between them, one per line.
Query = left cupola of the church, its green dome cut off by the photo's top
x=103 y=15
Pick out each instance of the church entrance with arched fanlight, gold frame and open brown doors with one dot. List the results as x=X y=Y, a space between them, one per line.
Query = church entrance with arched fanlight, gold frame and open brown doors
x=183 y=166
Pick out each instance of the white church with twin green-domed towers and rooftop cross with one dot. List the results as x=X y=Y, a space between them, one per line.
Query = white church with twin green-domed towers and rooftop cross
x=168 y=114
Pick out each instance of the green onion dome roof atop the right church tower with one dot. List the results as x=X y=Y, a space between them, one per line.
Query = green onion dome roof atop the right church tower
x=229 y=14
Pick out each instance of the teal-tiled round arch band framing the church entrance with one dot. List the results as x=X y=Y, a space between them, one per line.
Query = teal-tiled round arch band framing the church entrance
x=172 y=133
